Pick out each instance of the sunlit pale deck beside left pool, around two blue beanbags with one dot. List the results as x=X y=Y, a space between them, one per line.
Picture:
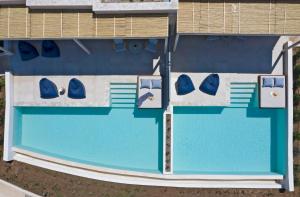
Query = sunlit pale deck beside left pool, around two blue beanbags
x=27 y=92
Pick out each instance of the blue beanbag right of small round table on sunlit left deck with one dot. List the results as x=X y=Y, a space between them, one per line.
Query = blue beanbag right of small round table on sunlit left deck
x=76 y=89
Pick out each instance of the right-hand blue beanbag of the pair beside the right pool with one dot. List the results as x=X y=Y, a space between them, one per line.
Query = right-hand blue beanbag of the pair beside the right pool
x=210 y=84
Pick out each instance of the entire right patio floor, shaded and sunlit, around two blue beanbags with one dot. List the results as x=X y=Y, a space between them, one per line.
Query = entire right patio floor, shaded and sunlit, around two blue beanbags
x=236 y=64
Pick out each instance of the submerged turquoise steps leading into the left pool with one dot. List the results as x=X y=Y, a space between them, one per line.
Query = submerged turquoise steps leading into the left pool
x=123 y=95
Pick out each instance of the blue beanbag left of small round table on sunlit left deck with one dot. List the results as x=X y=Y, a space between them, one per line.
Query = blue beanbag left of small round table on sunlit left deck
x=48 y=89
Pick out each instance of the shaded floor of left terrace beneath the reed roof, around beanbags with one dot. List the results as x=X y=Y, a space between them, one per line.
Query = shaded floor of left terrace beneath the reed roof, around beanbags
x=103 y=60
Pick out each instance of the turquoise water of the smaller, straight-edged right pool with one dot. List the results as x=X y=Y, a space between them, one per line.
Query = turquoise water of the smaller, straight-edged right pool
x=215 y=140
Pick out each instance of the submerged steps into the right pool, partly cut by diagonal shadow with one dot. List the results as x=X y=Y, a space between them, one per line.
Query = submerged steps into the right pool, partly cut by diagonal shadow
x=241 y=94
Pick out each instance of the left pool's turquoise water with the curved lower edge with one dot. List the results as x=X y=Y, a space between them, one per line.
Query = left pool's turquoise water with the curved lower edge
x=128 y=138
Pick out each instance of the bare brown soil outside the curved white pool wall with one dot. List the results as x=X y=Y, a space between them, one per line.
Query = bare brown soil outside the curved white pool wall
x=50 y=183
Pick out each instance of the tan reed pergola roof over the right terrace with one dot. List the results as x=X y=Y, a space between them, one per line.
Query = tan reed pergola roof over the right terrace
x=238 y=16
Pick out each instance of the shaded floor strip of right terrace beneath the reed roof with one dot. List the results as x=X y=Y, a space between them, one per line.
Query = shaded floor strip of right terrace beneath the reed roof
x=228 y=55
